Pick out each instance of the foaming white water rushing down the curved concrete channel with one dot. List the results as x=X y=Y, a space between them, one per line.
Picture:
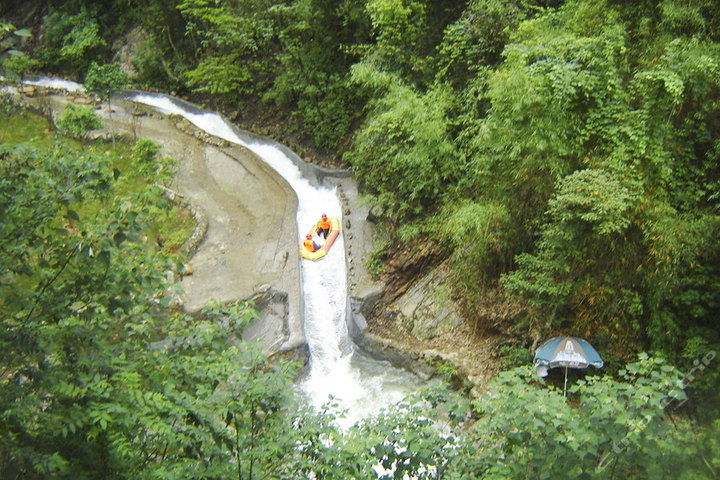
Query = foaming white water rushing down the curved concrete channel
x=360 y=386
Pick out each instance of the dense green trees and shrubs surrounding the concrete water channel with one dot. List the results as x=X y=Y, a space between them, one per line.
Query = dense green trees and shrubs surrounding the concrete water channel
x=567 y=151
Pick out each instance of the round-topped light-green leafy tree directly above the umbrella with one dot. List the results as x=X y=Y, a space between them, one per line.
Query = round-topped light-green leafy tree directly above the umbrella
x=587 y=229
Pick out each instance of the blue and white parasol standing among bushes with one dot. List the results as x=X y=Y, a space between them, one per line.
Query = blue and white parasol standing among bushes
x=568 y=352
